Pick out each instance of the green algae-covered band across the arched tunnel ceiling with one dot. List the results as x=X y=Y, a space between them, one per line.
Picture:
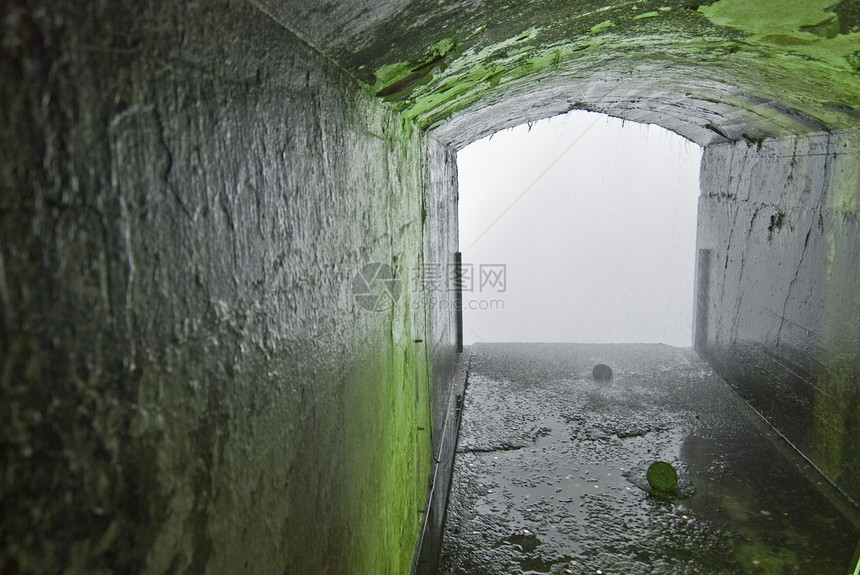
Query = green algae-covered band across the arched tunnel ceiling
x=795 y=63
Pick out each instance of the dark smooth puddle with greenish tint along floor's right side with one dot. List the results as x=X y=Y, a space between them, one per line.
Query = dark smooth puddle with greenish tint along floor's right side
x=768 y=518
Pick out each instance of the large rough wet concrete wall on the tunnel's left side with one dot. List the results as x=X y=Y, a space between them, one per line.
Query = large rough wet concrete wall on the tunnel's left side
x=187 y=383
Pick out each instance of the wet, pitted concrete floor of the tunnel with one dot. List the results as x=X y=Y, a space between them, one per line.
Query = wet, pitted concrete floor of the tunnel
x=550 y=472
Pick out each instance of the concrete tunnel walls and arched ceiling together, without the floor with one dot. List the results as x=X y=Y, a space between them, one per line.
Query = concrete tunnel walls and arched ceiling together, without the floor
x=190 y=383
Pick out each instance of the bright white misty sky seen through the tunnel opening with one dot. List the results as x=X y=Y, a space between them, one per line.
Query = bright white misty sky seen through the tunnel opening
x=600 y=245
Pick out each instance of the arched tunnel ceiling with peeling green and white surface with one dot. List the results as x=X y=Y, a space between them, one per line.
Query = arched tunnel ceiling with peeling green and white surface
x=711 y=71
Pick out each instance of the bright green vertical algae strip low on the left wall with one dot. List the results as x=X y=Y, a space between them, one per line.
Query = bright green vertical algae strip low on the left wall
x=387 y=442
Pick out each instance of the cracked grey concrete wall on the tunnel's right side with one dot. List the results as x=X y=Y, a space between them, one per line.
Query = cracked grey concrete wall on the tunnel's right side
x=779 y=287
